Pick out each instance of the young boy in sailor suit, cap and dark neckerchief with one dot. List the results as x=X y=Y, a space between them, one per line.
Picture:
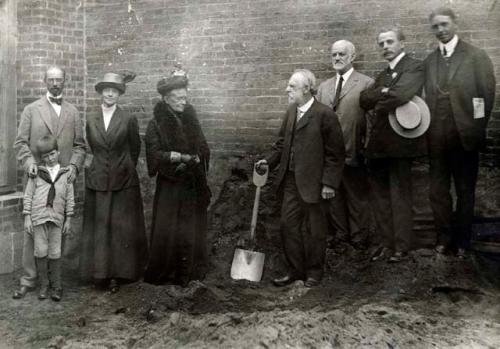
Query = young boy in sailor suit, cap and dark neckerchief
x=48 y=208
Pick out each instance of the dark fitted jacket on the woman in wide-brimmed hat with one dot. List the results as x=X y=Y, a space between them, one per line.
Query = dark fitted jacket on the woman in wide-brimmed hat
x=115 y=151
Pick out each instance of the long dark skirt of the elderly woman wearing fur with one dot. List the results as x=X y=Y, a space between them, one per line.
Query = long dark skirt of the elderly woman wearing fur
x=178 y=249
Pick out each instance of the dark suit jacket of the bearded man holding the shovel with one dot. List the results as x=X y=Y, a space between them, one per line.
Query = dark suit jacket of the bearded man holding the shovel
x=319 y=151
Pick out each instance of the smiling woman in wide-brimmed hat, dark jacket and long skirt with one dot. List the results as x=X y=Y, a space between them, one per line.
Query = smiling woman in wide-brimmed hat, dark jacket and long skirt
x=114 y=247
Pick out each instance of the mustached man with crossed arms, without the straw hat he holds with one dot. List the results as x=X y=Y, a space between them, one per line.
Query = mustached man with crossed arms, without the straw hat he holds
x=390 y=155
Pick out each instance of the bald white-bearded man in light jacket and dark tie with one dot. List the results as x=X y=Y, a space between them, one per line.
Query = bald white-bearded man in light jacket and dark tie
x=349 y=211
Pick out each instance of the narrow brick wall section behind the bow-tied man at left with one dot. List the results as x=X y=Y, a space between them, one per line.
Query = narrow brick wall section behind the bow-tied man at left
x=51 y=32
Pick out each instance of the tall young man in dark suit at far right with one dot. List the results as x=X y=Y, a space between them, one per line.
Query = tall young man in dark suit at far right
x=460 y=91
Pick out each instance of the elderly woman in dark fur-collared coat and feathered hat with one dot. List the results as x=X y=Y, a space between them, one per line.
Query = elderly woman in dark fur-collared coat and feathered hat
x=178 y=155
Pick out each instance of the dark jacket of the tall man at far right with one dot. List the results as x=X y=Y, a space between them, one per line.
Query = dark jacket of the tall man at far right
x=471 y=76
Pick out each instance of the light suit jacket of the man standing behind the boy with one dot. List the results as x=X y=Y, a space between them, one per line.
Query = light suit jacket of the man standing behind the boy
x=39 y=119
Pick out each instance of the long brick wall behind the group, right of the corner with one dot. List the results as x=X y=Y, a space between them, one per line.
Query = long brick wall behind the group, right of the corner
x=240 y=53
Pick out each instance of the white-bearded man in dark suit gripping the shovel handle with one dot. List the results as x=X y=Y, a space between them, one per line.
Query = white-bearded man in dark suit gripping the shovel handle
x=310 y=152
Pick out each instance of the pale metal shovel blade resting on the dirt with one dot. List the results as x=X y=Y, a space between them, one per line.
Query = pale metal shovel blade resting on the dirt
x=247 y=265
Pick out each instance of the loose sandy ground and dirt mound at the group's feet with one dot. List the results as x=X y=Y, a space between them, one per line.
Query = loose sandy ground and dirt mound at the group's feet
x=427 y=301
